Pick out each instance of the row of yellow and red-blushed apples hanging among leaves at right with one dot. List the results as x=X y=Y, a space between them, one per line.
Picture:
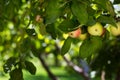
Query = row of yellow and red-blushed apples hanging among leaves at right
x=95 y=30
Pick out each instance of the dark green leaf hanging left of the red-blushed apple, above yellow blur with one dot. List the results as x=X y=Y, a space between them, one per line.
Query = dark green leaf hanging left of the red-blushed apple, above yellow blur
x=52 y=30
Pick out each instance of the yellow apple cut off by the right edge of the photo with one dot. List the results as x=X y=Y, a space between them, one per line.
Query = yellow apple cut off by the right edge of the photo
x=115 y=31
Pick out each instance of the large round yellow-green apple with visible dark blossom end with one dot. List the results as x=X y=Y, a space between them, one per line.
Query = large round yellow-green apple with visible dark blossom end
x=96 y=29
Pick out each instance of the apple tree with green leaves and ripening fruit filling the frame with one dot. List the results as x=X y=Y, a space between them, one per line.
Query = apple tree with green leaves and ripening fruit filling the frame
x=90 y=30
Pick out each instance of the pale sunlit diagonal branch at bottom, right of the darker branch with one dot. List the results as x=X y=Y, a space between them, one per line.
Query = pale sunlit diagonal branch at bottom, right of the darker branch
x=77 y=69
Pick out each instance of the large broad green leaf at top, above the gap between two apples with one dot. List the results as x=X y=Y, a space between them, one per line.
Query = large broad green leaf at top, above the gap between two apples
x=79 y=10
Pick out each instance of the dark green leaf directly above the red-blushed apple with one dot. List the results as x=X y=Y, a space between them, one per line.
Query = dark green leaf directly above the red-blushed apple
x=68 y=25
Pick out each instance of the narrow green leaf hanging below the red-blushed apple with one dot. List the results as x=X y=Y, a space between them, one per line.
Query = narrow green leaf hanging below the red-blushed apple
x=66 y=46
